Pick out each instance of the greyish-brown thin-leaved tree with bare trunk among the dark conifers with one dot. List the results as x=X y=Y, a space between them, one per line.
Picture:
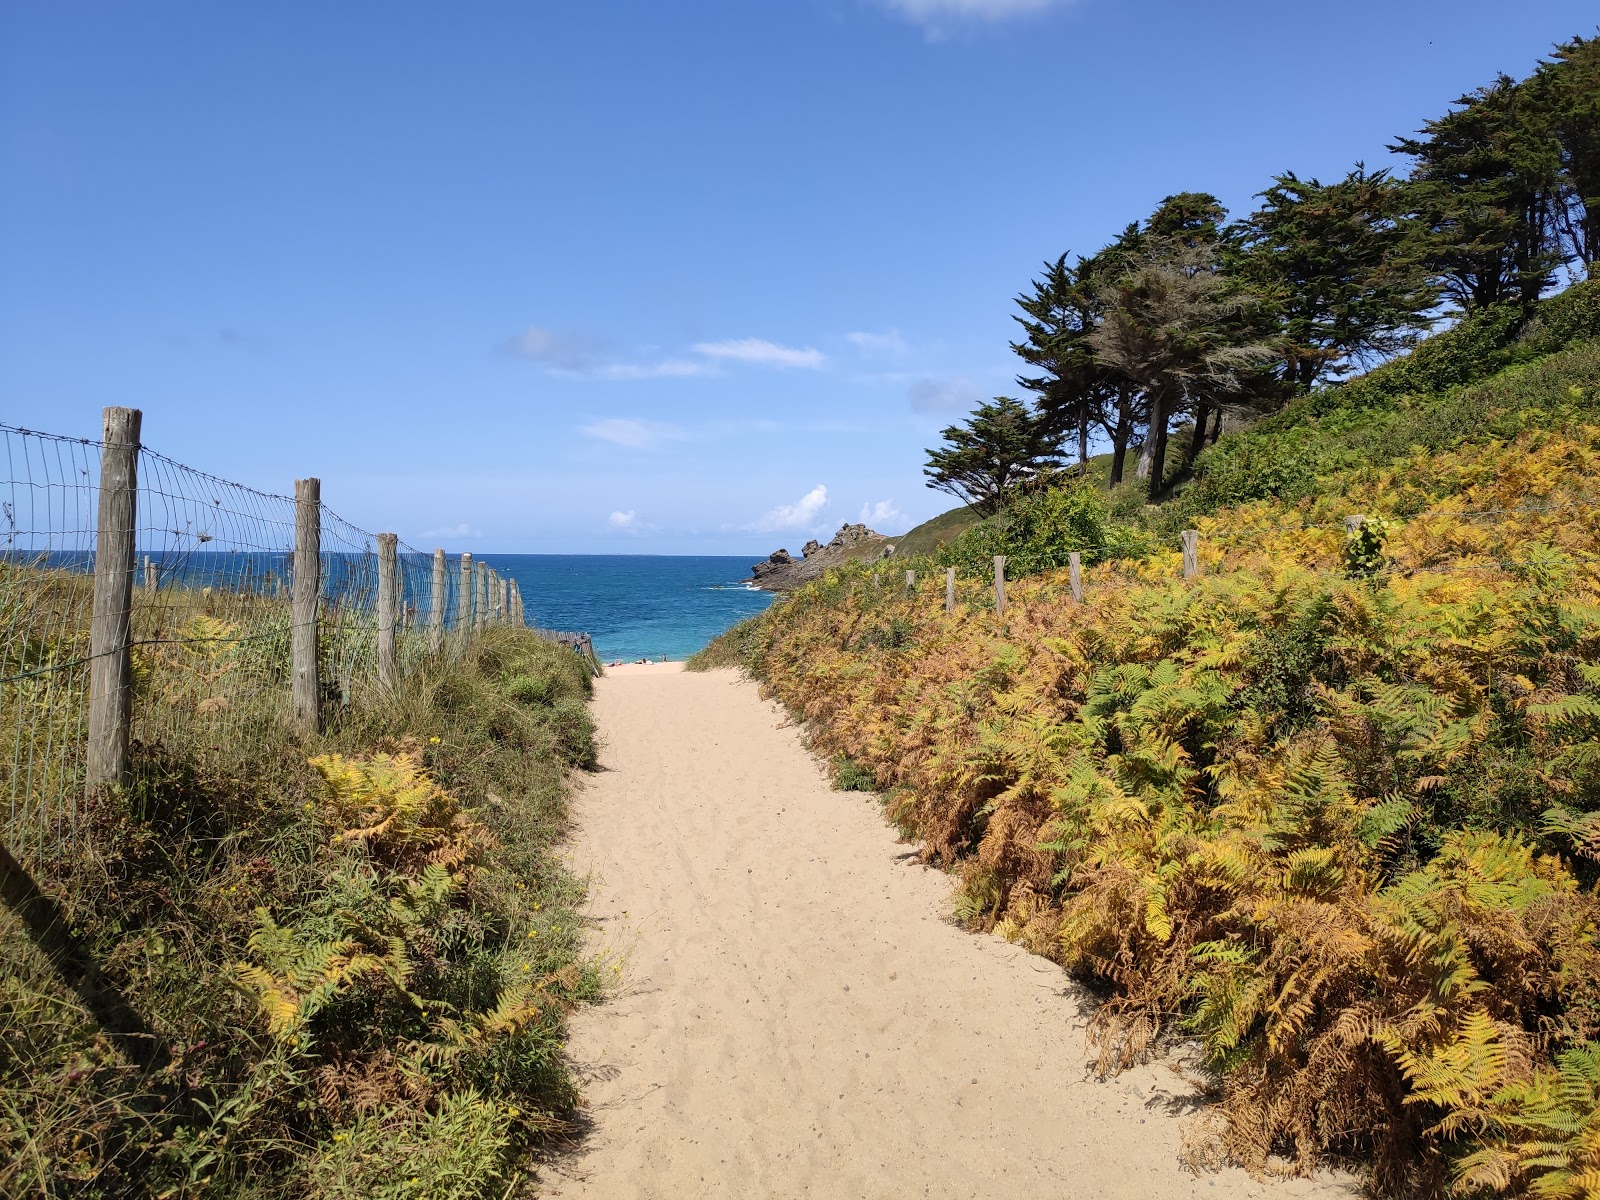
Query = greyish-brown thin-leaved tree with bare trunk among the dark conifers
x=1180 y=330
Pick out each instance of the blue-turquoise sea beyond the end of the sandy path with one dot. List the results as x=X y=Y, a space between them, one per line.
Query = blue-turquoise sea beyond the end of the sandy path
x=634 y=606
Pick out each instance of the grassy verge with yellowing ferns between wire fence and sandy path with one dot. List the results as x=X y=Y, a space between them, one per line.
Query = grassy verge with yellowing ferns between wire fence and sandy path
x=354 y=956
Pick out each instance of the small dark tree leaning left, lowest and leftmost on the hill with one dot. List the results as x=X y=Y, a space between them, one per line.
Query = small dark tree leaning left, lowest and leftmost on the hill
x=1001 y=446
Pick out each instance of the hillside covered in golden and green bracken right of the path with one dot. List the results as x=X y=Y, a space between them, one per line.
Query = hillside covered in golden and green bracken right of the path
x=1332 y=807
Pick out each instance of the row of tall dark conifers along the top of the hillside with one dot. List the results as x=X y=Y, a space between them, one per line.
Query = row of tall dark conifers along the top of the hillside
x=1186 y=318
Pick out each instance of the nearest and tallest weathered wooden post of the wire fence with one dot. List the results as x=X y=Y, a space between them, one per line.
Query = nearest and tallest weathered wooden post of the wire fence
x=111 y=622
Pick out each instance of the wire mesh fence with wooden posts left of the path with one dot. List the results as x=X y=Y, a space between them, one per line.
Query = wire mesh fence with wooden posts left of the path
x=146 y=606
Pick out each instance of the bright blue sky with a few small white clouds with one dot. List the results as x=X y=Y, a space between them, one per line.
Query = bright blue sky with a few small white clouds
x=630 y=276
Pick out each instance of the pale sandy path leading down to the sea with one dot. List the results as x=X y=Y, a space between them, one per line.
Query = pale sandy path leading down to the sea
x=798 y=1018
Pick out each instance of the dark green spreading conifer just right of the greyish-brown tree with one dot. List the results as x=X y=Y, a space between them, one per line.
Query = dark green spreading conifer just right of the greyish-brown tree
x=1335 y=263
